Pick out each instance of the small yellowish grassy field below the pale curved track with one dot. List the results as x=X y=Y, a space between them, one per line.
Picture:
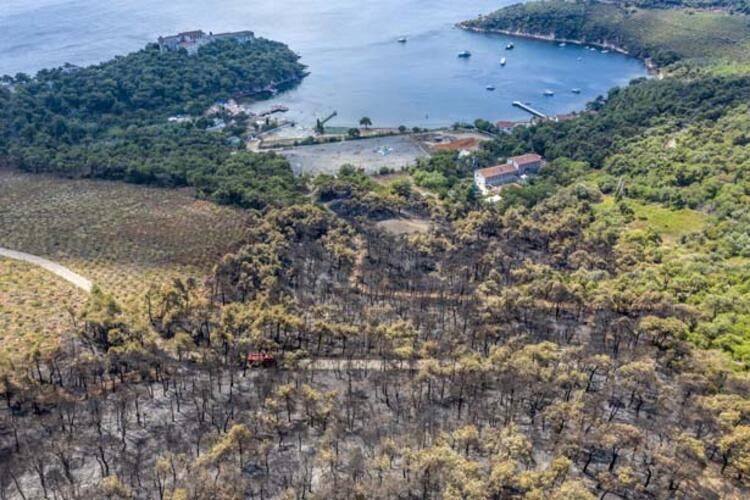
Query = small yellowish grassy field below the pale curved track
x=34 y=308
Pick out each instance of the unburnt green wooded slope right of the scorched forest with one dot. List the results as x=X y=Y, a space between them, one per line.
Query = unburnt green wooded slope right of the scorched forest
x=672 y=153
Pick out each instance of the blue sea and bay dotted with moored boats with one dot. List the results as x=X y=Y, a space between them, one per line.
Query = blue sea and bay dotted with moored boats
x=356 y=66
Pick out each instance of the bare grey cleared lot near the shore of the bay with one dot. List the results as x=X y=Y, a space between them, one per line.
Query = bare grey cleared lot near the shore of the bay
x=369 y=154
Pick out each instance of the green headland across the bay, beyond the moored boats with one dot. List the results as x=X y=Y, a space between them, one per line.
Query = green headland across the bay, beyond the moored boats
x=664 y=36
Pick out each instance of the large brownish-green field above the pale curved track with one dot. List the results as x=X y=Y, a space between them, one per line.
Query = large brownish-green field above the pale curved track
x=122 y=237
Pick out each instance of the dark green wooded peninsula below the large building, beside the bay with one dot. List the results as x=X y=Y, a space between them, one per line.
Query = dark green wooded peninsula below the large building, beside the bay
x=110 y=120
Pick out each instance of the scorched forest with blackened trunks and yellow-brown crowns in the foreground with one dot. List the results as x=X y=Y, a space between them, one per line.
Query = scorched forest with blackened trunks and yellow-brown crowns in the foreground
x=508 y=355
